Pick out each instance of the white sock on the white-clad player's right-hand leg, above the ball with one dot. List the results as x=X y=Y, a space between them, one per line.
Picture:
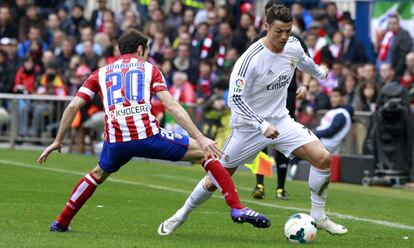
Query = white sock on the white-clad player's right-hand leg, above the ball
x=318 y=184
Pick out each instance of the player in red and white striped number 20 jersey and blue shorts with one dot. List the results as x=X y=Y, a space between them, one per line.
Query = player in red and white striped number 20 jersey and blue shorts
x=131 y=130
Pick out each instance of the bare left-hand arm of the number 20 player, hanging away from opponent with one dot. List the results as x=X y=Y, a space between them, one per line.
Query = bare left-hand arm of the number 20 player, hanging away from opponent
x=65 y=123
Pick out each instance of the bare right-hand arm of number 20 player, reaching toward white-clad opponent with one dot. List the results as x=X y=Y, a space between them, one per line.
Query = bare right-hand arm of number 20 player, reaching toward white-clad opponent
x=183 y=119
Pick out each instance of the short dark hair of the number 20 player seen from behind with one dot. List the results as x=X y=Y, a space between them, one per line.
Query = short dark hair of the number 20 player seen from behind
x=131 y=40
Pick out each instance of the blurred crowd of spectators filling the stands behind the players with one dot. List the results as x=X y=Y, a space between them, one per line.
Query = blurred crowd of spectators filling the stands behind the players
x=51 y=47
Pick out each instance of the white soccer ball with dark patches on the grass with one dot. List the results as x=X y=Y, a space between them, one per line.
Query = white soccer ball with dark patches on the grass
x=300 y=228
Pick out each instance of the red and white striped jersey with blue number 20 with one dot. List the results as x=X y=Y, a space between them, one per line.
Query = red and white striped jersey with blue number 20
x=126 y=87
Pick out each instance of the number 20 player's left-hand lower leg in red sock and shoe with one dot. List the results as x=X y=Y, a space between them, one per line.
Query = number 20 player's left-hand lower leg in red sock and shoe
x=80 y=194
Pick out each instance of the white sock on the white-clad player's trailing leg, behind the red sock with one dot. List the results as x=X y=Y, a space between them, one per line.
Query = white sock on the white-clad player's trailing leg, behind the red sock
x=199 y=195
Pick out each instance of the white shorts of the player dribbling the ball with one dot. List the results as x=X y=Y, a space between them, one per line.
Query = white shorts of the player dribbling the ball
x=243 y=145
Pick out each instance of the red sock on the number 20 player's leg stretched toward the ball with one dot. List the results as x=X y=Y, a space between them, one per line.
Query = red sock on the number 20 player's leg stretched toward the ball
x=222 y=180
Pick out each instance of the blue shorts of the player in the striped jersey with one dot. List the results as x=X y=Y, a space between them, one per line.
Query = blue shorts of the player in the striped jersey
x=166 y=145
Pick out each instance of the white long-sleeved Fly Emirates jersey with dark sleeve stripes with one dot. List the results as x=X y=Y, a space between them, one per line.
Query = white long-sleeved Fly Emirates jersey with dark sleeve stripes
x=259 y=83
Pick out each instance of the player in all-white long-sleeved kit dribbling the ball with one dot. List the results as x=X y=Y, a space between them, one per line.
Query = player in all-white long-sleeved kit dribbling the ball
x=257 y=98
